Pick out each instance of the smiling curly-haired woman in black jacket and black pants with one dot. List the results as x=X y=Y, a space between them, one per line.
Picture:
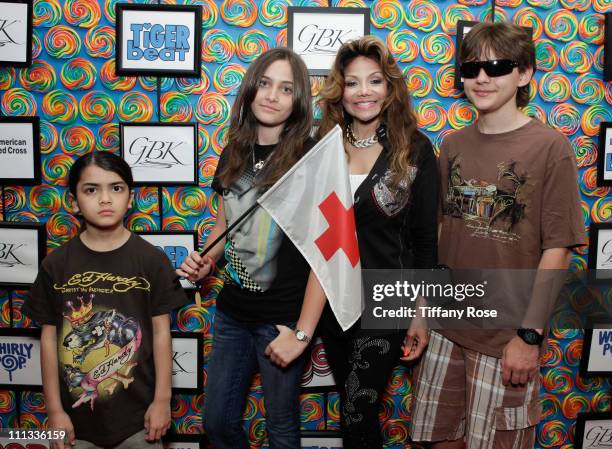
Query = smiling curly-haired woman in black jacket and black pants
x=394 y=180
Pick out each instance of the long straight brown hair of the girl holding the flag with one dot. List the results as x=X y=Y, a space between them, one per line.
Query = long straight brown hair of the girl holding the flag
x=242 y=133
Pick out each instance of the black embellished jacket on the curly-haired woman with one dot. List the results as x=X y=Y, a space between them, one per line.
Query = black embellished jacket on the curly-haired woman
x=396 y=229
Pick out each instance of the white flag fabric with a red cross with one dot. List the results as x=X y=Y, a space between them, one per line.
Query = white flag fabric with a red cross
x=313 y=205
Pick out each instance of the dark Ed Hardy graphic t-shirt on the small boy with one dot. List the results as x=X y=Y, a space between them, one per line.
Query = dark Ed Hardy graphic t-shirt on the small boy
x=102 y=304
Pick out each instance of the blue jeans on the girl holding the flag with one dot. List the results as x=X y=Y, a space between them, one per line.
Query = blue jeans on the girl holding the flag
x=237 y=351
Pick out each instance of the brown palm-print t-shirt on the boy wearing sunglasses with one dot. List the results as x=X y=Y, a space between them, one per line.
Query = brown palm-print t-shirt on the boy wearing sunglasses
x=505 y=199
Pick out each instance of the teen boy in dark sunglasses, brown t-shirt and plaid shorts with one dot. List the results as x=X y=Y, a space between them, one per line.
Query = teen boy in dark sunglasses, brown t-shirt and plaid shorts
x=509 y=201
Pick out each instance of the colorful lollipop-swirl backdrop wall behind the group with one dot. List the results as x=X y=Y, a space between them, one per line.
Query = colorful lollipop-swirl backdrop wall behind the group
x=73 y=87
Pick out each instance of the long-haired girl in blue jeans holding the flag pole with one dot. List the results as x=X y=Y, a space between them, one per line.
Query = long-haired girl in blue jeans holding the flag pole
x=264 y=320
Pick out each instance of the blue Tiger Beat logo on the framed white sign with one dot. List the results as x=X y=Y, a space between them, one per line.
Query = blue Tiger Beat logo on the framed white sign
x=152 y=42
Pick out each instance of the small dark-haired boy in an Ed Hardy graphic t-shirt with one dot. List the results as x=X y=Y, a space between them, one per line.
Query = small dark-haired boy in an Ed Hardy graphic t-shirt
x=103 y=300
